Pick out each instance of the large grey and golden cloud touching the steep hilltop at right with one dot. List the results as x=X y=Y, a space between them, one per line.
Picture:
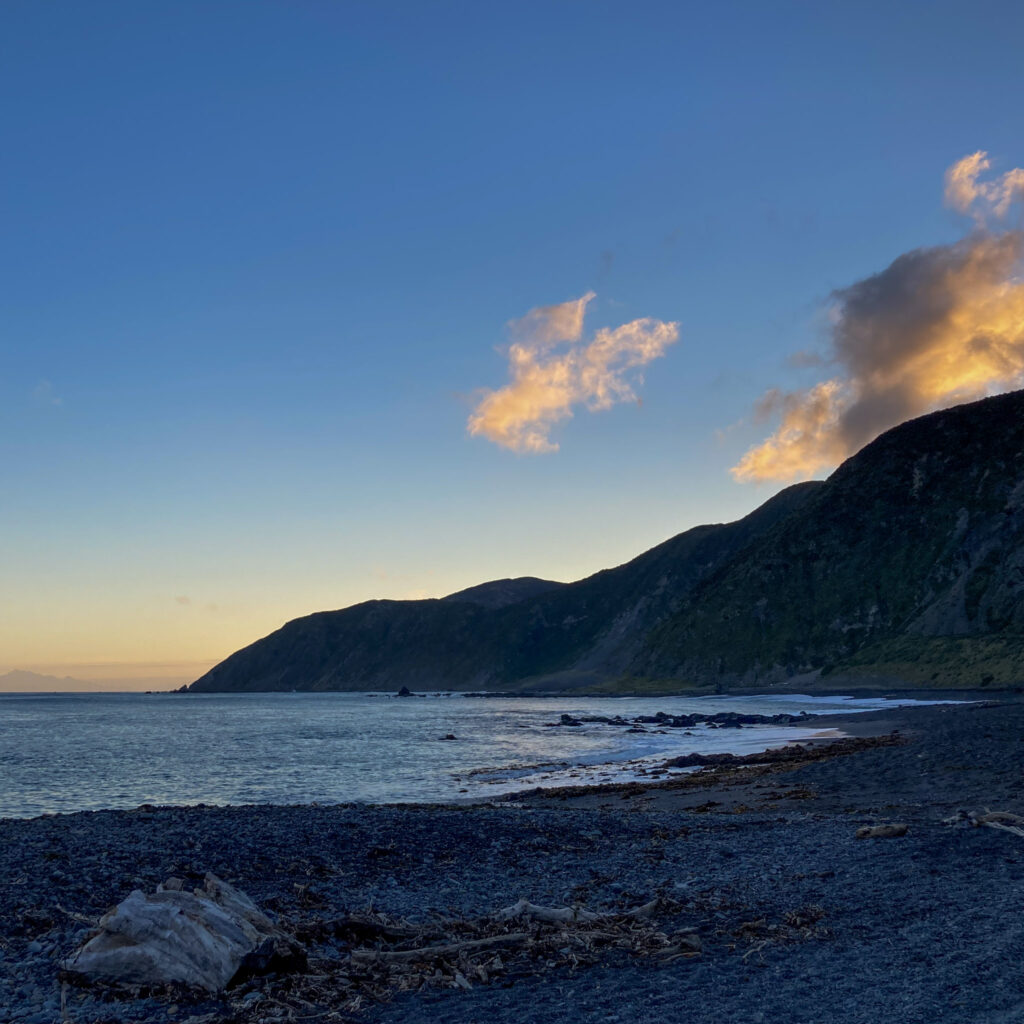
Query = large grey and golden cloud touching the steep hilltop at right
x=937 y=327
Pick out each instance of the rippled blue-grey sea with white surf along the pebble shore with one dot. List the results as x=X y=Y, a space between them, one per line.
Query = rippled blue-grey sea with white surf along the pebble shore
x=84 y=752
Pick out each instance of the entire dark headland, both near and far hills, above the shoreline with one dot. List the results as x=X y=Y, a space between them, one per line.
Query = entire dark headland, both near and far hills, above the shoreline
x=905 y=569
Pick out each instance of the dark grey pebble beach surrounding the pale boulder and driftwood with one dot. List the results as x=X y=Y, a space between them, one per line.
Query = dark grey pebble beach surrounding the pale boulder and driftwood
x=799 y=921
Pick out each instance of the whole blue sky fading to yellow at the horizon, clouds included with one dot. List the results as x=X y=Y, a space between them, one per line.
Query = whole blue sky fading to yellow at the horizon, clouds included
x=307 y=304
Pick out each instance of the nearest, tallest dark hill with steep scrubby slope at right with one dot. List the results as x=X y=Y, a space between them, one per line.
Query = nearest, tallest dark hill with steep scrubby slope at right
x=919 y=536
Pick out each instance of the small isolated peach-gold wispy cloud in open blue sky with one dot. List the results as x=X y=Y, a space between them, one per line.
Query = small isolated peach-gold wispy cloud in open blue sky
x=552 y=371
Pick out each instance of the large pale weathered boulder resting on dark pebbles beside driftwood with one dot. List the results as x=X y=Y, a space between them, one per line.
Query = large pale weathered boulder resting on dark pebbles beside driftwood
x=200 y=940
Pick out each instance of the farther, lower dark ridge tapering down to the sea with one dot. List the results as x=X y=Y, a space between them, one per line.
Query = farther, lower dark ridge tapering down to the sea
x=591 y=629
